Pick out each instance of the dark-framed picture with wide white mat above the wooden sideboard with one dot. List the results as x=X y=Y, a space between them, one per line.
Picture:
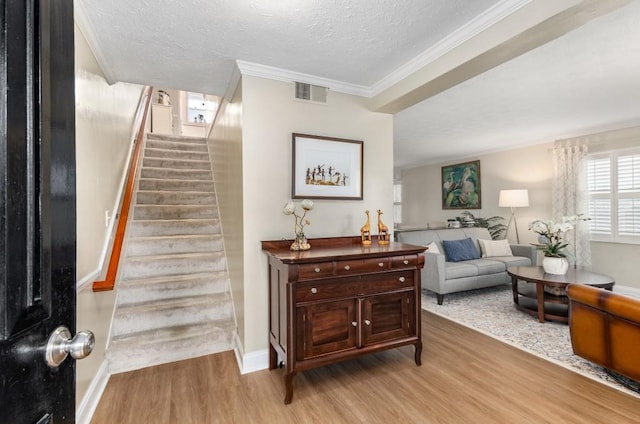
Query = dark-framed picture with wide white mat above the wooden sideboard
x=326 y=168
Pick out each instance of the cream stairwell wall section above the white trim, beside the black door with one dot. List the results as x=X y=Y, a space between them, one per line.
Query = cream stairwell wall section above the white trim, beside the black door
x=104 y=136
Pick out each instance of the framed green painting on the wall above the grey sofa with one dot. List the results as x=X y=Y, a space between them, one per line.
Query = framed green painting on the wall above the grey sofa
x=461 y=186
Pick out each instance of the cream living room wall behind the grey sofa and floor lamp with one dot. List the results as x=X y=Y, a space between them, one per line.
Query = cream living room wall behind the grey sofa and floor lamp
x=527 y=168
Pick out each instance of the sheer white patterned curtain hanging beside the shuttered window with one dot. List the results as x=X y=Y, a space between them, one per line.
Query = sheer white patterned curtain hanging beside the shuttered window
x=570 y=197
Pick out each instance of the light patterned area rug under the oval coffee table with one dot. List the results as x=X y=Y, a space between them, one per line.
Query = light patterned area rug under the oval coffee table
x=491 y=311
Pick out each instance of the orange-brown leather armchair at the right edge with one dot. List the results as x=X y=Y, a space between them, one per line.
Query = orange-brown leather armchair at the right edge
x=605 y=328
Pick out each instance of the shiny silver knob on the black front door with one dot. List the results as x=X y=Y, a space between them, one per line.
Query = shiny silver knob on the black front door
x=61 y=344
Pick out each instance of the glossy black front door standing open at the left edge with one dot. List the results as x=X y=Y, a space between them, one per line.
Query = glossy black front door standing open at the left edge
x=37 y=208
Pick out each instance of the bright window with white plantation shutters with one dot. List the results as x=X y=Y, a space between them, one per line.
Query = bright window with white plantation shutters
x=613 y=181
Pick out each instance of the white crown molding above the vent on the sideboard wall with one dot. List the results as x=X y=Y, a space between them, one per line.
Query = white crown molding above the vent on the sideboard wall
x=278 y=74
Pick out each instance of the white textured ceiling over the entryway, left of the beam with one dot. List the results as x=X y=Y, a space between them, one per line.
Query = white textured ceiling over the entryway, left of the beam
x=193 y=44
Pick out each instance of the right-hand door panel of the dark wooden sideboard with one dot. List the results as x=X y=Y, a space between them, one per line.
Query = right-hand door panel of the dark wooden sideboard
x=388 y=317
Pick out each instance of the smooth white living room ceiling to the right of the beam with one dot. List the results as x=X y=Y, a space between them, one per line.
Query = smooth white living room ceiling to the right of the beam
x=584 y=82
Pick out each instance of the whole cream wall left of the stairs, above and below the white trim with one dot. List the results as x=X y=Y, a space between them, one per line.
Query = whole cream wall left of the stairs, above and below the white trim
x=104 y=136
